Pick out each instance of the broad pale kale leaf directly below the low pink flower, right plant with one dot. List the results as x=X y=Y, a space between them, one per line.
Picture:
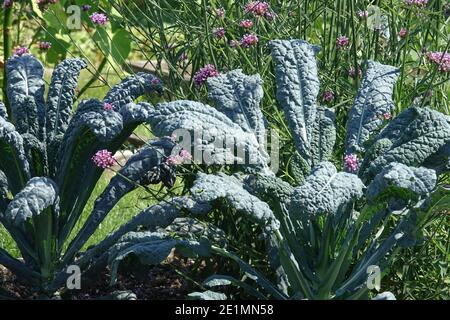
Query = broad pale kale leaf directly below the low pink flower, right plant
x=324 y=191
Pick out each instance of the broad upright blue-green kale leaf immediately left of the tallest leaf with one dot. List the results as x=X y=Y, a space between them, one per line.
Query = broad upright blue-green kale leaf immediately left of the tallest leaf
x=238 y=96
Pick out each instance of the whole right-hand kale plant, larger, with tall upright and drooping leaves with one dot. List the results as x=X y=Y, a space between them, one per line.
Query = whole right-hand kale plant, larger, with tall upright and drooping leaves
x=324 y=233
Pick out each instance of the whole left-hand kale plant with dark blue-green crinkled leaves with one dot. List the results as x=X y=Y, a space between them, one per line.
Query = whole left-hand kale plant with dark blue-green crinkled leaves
x=47 y=173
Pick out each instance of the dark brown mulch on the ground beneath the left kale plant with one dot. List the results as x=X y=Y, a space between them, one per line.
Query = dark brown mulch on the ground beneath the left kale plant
x=159 y=283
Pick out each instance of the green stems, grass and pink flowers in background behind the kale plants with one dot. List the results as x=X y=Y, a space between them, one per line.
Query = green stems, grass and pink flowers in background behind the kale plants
x=177 y=39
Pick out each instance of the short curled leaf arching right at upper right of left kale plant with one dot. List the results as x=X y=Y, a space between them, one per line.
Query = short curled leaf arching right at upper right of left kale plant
x=132 y=88
